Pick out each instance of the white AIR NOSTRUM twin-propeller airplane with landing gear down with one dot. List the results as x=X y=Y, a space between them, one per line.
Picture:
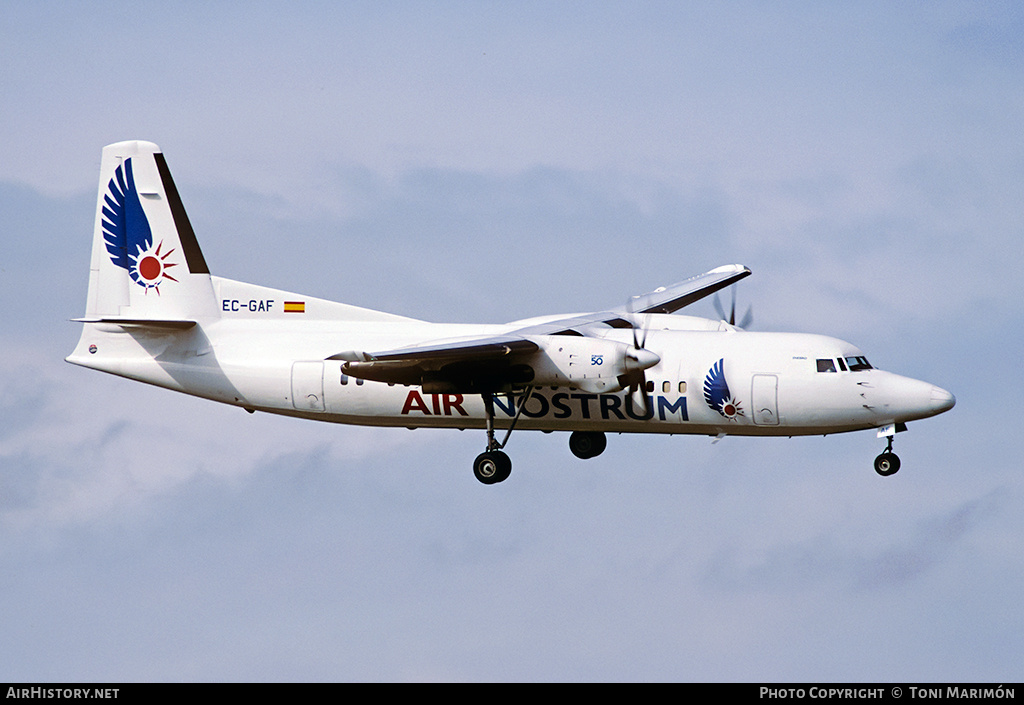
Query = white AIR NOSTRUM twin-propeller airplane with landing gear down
x=157 y=315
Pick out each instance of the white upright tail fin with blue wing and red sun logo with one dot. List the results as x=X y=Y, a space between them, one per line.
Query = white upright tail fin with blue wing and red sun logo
x=147 y=264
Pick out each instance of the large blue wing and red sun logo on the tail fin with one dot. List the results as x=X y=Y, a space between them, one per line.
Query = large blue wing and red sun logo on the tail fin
x=129 y=236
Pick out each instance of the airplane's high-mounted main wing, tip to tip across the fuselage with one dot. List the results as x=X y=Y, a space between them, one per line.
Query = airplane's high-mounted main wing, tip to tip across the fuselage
x=500 y=363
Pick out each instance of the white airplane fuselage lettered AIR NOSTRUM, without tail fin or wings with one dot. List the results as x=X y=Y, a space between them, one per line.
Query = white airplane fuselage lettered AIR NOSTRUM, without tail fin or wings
x=264 y=361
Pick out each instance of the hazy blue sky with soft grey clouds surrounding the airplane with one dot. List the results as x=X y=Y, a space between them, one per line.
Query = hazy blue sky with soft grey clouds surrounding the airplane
x=481 y=162
